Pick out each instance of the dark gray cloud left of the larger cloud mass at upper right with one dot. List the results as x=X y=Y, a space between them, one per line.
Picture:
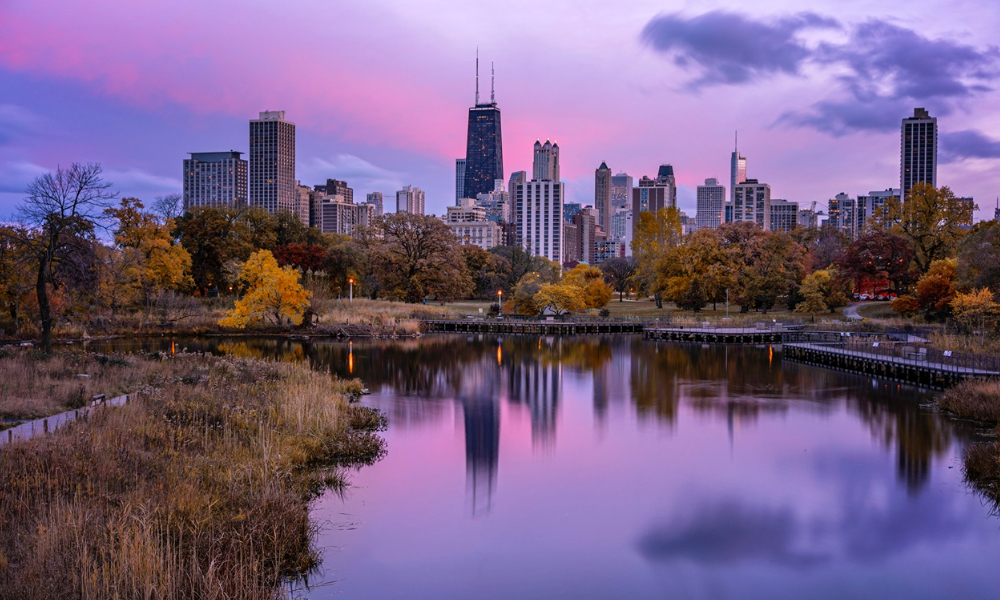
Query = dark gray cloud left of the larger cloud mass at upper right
x=729 y=48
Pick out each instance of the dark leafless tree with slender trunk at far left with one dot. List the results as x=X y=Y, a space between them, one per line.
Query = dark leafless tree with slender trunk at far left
x=61 y=209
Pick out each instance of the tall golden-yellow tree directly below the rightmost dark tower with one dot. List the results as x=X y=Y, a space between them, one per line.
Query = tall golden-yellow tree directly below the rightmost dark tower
x=932 y=219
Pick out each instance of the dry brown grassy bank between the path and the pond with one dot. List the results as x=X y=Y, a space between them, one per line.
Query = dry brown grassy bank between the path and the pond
x=198 y=488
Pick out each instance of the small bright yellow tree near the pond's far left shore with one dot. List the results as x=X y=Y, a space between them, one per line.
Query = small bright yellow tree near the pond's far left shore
x=273 y=294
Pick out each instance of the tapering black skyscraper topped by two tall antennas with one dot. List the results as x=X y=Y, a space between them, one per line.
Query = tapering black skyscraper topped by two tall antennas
x=484 y=145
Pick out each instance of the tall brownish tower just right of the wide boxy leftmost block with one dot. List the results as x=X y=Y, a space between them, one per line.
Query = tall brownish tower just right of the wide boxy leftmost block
x=272 y=163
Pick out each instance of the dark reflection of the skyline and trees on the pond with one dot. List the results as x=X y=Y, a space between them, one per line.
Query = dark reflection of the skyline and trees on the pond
x=731 y=383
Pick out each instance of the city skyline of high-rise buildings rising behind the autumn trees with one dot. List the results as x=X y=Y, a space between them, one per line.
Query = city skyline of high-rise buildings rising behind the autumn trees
x=533 y=212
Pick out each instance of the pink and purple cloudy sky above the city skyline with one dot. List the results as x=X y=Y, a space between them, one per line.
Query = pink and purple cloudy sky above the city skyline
x=379 y=90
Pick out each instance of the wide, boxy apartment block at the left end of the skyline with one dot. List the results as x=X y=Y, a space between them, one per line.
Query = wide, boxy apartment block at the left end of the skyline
x=215 y=179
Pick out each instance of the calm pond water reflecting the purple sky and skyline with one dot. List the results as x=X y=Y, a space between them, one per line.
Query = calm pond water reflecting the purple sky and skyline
x=619 y=468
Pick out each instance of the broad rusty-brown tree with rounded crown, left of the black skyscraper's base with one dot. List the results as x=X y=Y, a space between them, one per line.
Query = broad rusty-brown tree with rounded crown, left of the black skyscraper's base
x=416 y=256
